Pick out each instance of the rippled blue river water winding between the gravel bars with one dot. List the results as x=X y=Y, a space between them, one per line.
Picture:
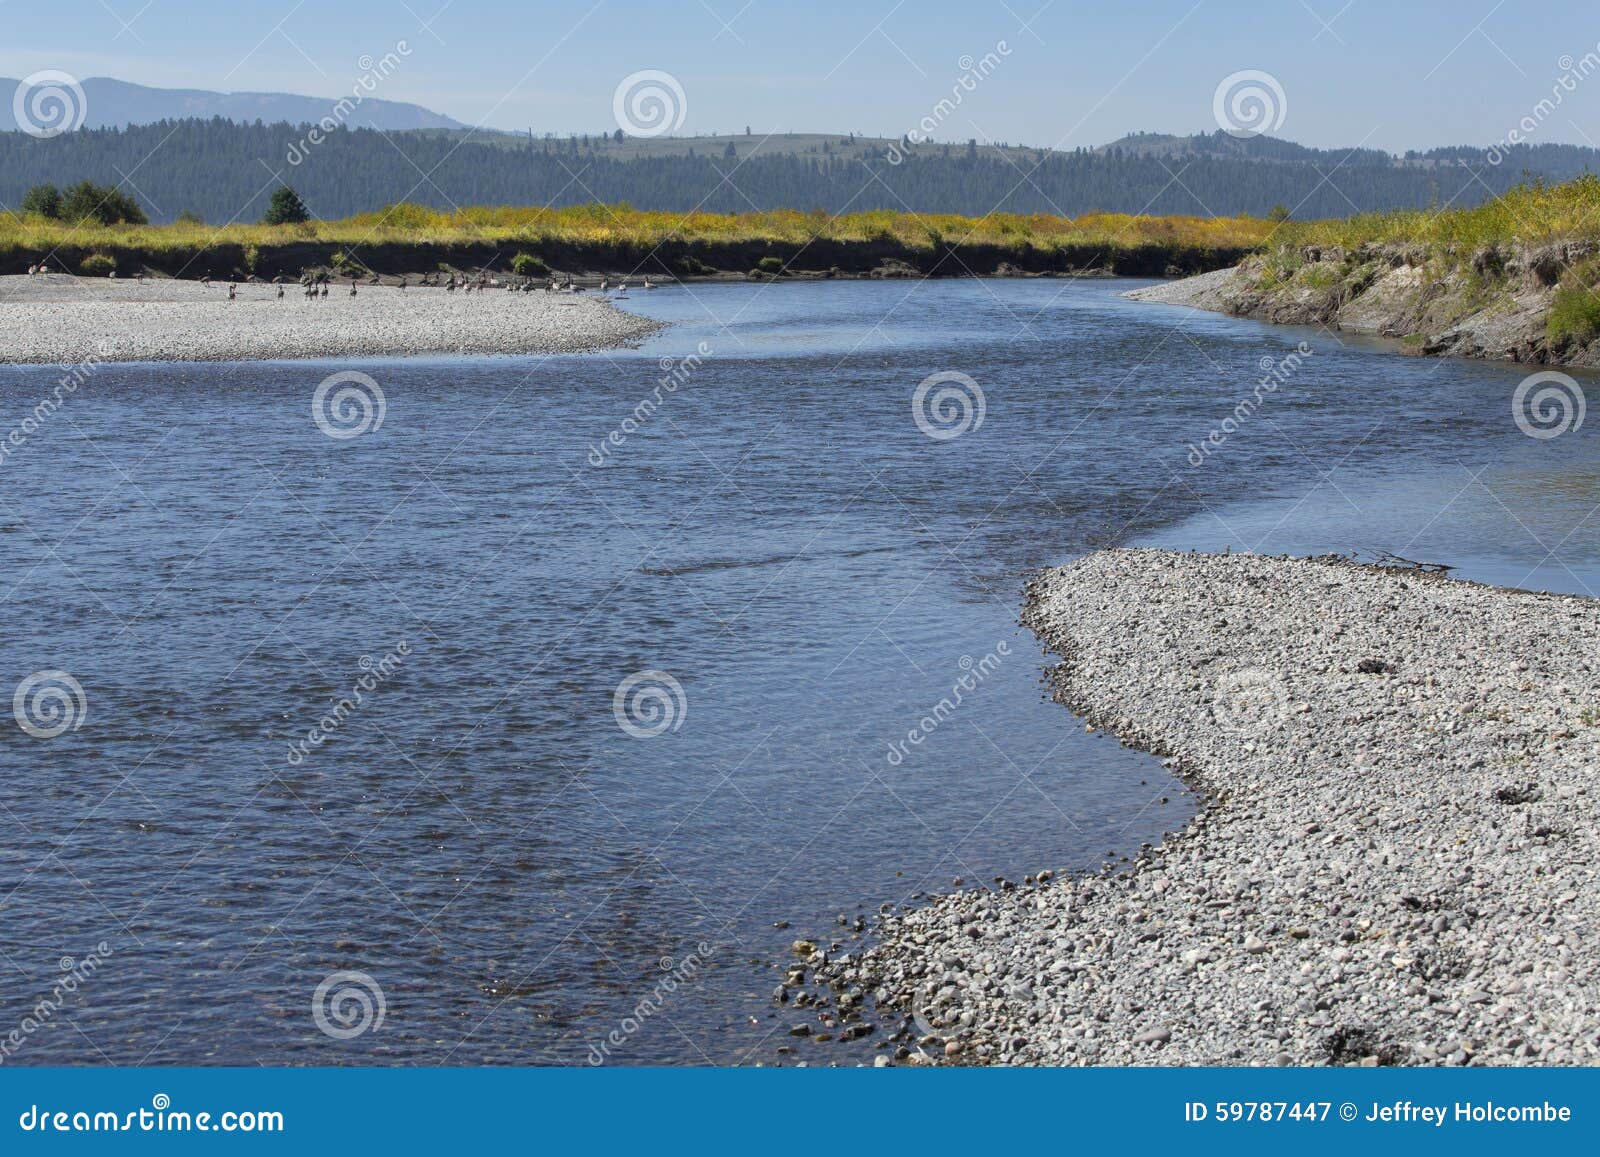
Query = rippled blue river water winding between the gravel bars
x=514 y=871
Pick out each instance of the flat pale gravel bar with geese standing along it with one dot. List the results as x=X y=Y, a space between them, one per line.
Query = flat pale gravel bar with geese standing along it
x=60 y=321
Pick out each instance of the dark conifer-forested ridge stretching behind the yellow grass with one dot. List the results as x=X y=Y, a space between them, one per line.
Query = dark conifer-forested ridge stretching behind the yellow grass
x=226 y=172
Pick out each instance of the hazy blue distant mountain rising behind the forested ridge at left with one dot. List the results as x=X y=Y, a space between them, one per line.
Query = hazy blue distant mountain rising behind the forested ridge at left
x=113 y=103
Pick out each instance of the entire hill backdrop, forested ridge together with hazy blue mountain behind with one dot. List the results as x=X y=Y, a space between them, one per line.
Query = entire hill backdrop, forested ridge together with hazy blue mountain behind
x=207 y=153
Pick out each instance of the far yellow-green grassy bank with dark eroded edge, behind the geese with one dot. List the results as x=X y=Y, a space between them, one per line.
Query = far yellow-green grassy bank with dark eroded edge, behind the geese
x=412 y=239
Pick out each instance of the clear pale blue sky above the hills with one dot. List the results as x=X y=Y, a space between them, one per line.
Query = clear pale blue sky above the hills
x=1385 y=74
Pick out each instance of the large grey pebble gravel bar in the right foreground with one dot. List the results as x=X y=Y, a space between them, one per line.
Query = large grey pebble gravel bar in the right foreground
x=1396 y=865
